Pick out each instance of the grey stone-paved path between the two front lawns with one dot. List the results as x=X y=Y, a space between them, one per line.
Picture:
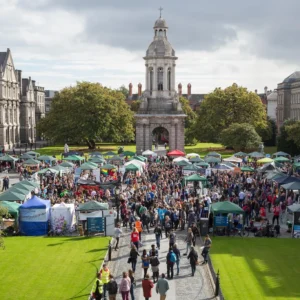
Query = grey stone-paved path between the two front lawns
x=192 y=288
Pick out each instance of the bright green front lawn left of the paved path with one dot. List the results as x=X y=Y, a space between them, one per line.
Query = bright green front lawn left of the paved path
x=55 y=268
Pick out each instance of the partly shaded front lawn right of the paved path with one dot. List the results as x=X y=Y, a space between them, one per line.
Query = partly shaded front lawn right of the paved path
x=257 y=268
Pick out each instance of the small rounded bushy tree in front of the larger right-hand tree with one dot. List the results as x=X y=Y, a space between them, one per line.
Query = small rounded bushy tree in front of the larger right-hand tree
x=240 y=137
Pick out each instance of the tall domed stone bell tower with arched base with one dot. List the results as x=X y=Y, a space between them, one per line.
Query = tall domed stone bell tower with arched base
x=160 y=117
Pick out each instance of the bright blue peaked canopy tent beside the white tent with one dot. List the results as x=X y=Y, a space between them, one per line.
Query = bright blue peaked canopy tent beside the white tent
x=34 y=216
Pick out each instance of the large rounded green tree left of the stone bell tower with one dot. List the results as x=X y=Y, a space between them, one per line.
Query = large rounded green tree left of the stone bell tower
x=86 y=113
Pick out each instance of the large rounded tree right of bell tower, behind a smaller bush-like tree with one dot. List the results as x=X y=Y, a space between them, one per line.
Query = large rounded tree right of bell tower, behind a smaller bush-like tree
x=224 y=107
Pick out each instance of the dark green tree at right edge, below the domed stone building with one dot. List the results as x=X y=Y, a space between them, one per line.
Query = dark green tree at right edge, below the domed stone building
x=284 y=141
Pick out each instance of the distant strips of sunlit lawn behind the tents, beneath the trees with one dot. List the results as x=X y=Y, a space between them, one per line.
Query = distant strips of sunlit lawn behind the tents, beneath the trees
x=201 y=148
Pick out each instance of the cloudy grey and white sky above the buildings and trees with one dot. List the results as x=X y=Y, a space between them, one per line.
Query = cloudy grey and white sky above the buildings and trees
x=58 y=42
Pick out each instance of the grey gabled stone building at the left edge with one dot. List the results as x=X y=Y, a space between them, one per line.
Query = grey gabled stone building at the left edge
x=21 y=103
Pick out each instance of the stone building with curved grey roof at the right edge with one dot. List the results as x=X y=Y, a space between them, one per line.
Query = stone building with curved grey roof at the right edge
x=288 y=99
